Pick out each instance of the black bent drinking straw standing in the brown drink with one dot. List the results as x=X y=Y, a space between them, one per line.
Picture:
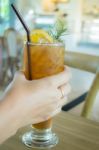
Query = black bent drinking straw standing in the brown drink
x=28 y=37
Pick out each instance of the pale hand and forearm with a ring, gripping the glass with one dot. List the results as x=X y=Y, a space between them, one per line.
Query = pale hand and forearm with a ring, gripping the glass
x=29 y=102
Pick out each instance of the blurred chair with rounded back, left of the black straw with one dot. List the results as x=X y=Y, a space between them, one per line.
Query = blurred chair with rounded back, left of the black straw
x=13 y=45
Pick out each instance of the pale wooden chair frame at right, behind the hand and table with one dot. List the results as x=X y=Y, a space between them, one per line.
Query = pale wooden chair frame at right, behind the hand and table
x=88 y=63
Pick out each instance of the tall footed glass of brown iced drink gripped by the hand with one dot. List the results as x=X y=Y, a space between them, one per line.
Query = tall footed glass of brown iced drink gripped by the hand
x=46 y=60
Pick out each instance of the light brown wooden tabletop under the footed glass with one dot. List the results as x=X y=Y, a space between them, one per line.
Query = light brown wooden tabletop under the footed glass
x=75 y=133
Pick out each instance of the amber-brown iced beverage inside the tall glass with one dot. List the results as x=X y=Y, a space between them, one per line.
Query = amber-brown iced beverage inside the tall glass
x=46 y=60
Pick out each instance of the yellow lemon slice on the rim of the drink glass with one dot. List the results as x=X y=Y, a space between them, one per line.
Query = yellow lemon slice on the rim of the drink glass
x=40 y=36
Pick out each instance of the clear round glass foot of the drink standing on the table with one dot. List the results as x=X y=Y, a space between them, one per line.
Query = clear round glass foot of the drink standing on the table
x=40 y=139
